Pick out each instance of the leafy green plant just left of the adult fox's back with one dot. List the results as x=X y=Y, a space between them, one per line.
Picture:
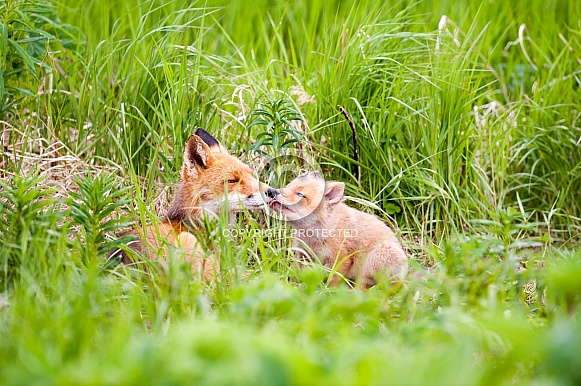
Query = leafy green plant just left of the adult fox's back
x=93 y=208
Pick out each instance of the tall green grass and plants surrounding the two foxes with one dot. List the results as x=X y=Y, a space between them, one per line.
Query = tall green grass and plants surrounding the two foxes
x=469 y=134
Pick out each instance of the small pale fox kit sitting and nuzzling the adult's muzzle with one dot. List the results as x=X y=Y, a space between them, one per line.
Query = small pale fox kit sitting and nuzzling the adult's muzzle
x=358 y=245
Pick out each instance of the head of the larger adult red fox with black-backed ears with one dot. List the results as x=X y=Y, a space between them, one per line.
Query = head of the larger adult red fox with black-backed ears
x=212 y=179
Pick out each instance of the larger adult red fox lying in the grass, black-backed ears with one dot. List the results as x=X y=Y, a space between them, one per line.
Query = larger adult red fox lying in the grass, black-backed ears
x=210 y=179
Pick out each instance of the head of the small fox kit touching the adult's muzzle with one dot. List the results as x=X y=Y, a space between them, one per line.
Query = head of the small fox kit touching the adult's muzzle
x=305 y=195
